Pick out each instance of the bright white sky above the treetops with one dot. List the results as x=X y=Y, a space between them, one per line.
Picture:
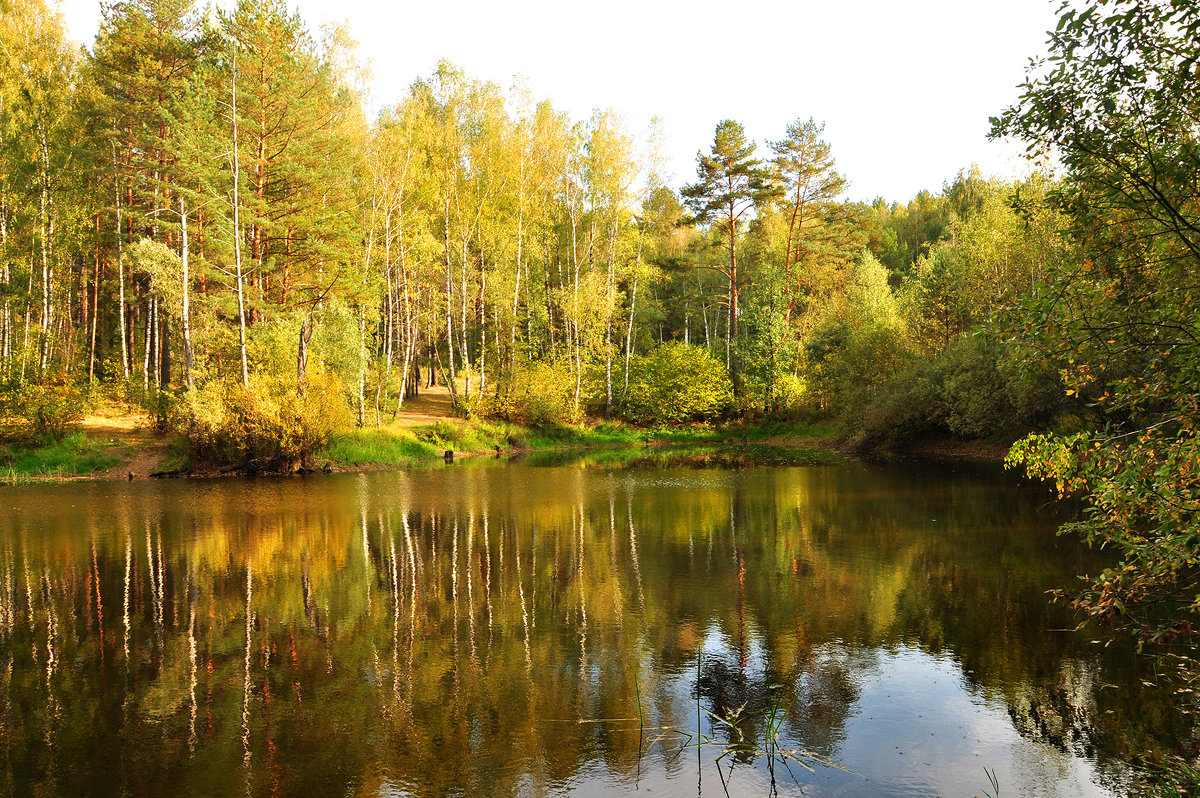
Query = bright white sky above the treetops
x=905 y=89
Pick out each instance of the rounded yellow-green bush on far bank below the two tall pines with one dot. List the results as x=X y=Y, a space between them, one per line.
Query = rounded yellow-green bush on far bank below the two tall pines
x=675 y=385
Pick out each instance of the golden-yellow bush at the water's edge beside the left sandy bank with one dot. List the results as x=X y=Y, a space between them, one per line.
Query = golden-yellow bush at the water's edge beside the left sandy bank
x=267 y=425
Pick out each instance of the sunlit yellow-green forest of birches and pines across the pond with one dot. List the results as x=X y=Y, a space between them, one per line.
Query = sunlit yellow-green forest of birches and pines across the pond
x=200 y=209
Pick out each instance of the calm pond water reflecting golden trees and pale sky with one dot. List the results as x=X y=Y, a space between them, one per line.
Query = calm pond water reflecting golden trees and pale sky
x=524 y=631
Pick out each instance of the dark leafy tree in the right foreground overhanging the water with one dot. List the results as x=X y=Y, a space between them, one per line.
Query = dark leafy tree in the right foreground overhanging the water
x=1118 y=104
